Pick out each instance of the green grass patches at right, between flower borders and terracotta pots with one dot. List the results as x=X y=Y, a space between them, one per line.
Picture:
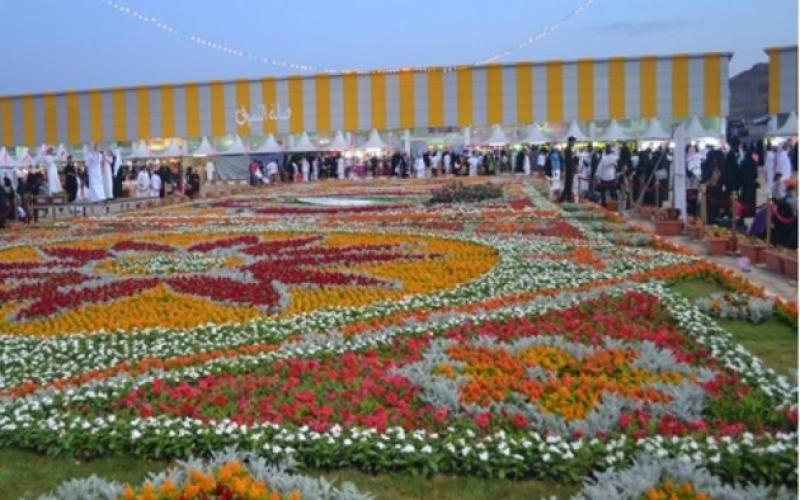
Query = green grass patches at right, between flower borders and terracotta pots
x=773 y=341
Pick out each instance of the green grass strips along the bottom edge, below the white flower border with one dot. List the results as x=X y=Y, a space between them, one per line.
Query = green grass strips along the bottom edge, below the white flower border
x=27 y=474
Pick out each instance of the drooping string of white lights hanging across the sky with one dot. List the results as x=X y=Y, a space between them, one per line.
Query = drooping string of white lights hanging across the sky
x=227 y=49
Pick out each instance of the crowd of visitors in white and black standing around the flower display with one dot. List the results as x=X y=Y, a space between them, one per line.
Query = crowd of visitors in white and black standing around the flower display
x=620 y=172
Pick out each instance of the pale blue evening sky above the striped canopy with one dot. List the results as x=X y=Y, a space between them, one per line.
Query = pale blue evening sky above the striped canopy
x=56 y=45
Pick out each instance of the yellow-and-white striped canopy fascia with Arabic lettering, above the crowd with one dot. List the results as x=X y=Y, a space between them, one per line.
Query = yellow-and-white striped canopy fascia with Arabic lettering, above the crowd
x=668 y=87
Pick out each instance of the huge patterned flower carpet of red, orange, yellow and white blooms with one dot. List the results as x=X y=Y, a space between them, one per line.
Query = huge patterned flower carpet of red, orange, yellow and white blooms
x=511 y=338
